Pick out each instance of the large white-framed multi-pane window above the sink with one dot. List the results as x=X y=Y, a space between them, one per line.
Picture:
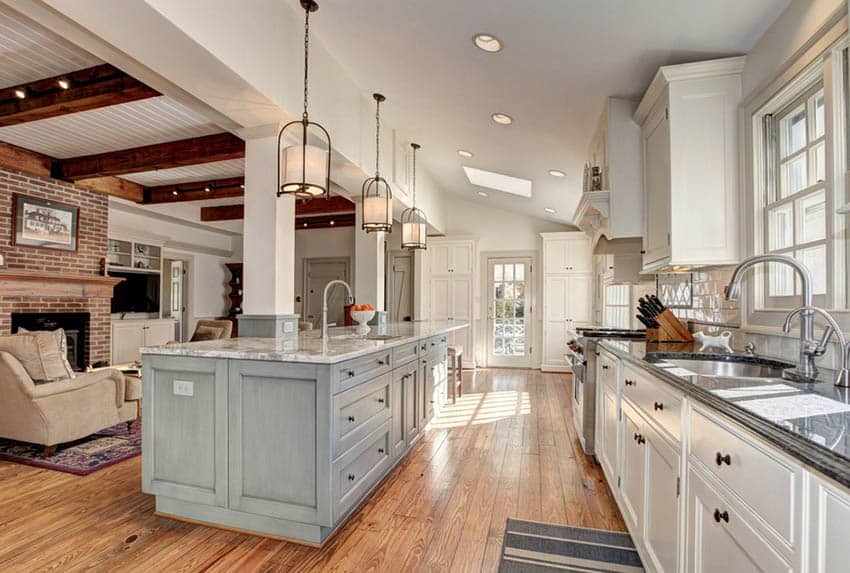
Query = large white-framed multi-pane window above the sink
x=796 y=202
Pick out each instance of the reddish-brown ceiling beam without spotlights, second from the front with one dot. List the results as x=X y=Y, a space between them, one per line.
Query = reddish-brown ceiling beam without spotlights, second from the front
x=218 y=147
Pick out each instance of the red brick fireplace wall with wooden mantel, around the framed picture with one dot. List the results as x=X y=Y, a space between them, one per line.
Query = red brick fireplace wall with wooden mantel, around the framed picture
x=42 y=281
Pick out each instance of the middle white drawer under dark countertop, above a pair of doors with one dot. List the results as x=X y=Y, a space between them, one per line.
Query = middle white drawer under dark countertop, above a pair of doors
x=654 y=400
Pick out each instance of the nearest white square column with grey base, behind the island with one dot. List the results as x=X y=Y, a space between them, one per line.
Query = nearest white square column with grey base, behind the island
x=269 y=244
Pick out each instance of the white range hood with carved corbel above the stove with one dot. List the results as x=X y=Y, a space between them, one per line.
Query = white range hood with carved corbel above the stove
x=617 y=208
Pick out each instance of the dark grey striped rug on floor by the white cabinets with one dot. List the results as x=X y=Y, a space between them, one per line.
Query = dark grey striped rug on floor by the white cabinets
x=532 y=547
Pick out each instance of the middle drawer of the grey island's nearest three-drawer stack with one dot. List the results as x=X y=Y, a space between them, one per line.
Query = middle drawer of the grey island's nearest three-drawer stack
x=356 y=412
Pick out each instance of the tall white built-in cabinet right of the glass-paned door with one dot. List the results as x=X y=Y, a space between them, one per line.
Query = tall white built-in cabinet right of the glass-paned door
x=567 y=293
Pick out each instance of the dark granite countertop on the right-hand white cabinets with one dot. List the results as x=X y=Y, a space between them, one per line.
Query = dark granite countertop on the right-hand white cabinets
x=808 y=421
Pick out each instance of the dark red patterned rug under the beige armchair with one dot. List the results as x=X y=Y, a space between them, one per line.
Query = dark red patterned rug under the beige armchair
x=83 y=457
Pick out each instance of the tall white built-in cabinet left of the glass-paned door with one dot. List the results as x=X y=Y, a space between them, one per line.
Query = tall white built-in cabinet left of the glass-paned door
x=451 y=263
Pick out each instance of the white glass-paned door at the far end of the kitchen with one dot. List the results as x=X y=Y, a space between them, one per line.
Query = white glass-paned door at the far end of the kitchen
x=508 y=312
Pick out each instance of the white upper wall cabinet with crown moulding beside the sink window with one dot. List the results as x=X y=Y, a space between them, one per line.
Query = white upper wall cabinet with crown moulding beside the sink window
x=688 y=129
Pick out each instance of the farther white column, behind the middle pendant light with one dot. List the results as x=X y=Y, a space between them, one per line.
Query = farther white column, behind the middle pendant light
x=369 y=263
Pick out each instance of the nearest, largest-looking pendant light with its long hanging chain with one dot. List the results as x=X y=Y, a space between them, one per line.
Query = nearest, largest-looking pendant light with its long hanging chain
x=303 y=169
